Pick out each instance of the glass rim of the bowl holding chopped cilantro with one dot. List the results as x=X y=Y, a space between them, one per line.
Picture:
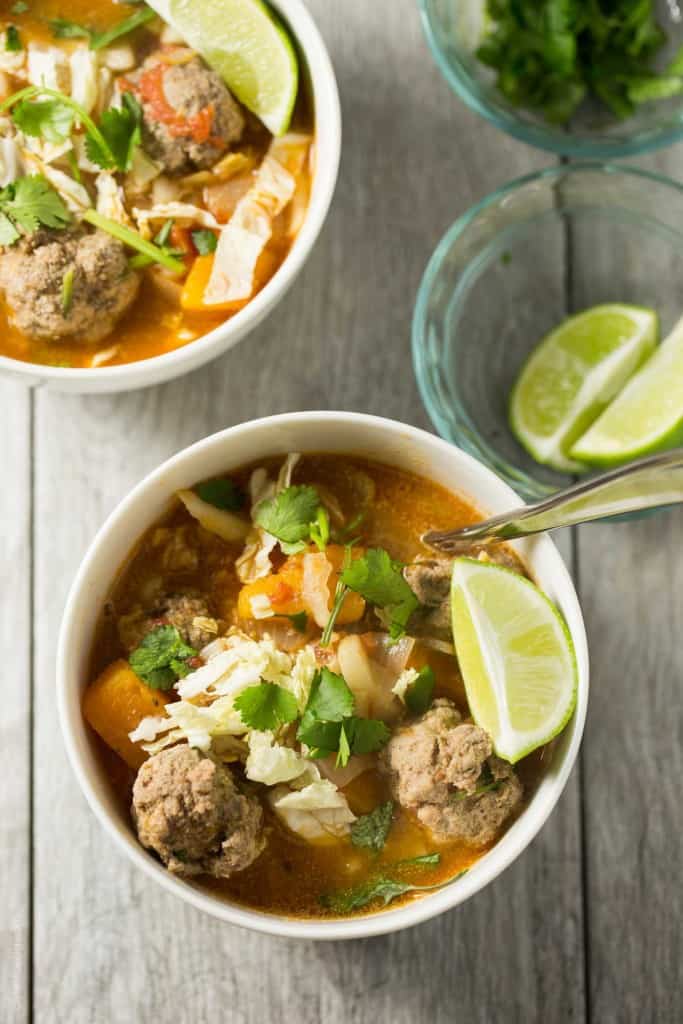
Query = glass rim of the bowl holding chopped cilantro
x=569 y=145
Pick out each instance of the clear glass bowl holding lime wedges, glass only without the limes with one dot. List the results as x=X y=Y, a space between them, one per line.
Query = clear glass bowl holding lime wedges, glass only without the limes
x=517 y=266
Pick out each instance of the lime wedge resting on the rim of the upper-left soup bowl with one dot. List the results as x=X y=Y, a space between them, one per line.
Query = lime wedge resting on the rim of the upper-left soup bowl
x=248 y=47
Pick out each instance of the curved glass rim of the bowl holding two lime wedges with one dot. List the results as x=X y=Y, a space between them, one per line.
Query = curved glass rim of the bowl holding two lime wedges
x=422 y=366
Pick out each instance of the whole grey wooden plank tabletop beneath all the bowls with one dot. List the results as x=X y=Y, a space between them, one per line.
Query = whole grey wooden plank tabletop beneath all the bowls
x=586 y=925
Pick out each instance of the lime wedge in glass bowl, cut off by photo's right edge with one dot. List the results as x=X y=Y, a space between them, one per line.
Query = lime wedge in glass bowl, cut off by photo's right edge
x=647 y=417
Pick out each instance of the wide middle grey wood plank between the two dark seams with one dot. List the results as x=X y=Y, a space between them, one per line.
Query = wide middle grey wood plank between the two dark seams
x=113 y=948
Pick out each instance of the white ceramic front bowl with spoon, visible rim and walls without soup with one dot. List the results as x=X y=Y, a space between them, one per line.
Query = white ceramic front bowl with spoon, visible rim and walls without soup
x=382 y=440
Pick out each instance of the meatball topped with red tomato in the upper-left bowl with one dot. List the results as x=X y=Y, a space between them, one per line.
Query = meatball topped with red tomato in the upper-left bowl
x=190 y=118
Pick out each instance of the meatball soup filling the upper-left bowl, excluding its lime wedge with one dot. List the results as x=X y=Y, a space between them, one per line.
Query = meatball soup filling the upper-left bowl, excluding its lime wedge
x=194 y=174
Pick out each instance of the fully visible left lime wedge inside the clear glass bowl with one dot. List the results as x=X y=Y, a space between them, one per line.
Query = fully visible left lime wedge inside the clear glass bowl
x=574 y=374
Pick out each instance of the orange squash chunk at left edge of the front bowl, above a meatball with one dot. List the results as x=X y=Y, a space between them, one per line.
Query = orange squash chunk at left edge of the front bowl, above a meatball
x=116 y=704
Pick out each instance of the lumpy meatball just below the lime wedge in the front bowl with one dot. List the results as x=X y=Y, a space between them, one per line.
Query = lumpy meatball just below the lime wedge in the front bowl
x=444 y=771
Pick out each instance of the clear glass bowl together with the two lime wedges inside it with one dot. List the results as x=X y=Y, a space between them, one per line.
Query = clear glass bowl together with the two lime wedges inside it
x=542 y=307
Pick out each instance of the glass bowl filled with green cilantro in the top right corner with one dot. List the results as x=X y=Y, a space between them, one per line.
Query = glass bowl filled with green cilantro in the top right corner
x=592 y=78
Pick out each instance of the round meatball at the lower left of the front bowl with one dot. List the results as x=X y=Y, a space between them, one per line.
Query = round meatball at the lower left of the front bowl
x=188 y=809
